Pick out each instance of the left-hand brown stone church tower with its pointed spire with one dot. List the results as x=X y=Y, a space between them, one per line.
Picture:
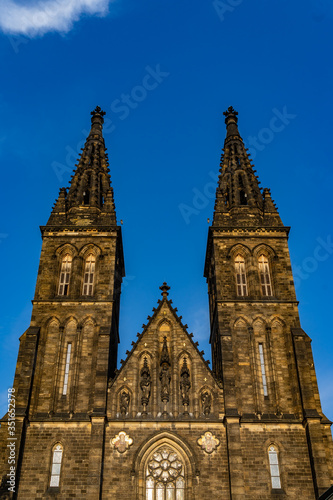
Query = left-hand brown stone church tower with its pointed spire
x=69 y=351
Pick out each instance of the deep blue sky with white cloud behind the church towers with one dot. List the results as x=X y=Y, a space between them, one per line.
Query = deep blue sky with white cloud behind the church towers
x=263 y=58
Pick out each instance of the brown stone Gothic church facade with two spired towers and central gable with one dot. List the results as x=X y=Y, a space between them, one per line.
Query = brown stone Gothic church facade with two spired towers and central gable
x=165 y=426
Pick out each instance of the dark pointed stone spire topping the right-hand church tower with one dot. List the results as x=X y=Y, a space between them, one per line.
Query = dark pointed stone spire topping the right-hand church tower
x=239 y=199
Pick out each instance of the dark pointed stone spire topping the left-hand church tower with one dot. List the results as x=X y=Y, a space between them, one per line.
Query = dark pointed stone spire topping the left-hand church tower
x=89 y=199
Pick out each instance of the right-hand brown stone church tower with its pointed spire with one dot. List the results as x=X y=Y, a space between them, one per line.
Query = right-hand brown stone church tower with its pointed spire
x=260 y=353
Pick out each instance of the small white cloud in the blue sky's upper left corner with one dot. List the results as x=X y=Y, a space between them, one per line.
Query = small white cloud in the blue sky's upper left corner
x=38 y=18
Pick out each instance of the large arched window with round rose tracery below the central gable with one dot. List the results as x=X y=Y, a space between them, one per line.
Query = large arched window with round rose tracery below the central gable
x=165 y=475
